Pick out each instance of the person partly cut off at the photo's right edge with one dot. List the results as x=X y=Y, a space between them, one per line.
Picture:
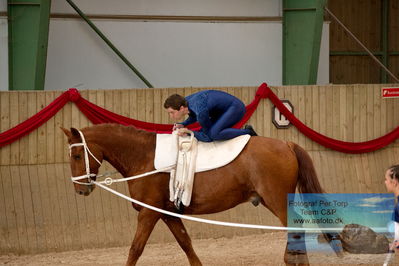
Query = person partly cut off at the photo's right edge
x=392 y=186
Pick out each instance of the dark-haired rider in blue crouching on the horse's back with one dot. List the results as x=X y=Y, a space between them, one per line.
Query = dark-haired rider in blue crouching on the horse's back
x=216 y=111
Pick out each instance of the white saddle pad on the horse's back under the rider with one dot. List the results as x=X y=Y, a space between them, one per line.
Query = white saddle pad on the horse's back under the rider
x=211 y=155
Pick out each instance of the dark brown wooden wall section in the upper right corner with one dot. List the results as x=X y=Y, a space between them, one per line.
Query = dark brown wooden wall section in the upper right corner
x=363 y=18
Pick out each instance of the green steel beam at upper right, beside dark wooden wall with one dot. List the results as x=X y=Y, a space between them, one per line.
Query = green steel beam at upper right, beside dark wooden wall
x=302 y=30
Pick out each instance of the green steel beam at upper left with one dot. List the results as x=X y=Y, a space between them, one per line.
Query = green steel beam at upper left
x=28 y=27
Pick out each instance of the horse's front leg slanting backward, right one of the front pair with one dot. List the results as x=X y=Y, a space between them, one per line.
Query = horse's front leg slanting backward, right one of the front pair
x=179 y=231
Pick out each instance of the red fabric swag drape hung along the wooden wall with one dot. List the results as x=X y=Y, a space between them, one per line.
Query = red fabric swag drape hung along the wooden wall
x=98 y=115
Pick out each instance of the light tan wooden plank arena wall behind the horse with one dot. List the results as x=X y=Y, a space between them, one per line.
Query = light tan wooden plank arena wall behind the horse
x=40 y=212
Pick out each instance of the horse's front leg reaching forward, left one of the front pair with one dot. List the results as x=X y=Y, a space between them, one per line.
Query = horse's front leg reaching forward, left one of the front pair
x=146 y=223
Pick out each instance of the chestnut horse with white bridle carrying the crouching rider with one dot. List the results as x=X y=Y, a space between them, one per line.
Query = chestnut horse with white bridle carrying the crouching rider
x=267 y=169
